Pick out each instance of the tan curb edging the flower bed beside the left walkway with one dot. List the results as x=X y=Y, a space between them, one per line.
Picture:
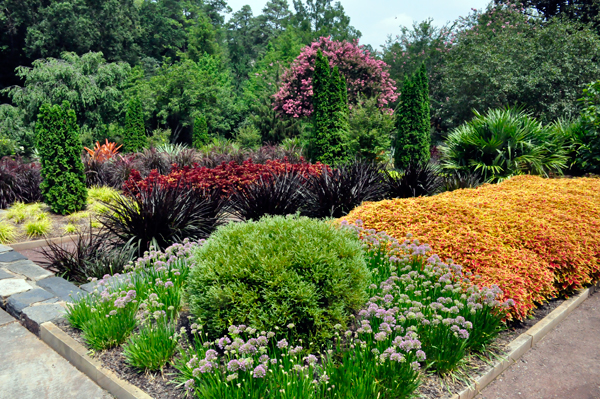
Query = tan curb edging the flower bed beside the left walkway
x=76 y=354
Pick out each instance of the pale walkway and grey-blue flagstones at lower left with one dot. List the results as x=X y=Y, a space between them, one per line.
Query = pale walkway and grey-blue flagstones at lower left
x=29 y=369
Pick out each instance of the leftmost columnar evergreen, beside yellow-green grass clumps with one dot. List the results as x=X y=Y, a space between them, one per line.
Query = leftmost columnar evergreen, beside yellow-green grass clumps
x=57 y=140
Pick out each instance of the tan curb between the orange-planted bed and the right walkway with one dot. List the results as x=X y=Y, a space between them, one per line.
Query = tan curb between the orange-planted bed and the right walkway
x=520 y=345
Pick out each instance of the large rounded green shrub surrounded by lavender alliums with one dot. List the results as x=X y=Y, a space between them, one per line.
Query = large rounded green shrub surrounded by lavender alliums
x=279 y=271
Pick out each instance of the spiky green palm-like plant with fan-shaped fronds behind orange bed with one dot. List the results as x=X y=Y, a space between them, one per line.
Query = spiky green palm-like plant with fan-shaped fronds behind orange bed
x=503 y=143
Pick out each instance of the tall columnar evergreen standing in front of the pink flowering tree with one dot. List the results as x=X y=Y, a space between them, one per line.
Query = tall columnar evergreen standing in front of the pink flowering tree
x=328 y=143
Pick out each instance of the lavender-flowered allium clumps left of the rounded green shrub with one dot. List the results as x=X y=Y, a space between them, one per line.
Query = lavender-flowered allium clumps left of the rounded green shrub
x=107 y=316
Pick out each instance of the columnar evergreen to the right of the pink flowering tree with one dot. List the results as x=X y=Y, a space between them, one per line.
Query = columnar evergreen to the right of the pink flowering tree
x=412 y=122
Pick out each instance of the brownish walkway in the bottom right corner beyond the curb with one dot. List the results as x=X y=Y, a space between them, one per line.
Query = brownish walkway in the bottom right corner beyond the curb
x=565 y=364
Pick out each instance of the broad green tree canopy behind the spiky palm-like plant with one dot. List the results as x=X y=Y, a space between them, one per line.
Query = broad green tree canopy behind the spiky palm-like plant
x=502 y=57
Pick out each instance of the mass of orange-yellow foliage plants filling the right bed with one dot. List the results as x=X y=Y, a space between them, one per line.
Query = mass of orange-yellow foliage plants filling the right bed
x=534 y=237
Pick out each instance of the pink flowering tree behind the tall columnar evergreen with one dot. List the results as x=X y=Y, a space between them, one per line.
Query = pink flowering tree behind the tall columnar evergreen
x=365 y=76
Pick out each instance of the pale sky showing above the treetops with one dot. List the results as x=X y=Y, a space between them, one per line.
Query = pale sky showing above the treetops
x=376 y=19
